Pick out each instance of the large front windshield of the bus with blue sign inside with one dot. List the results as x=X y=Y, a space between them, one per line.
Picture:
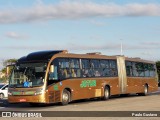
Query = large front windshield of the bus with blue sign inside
x=28 y=75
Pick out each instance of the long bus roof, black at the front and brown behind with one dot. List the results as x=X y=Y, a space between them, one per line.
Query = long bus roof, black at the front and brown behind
x=47 y=55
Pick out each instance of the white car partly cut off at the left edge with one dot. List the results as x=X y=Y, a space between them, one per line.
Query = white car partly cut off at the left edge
x=3 y=91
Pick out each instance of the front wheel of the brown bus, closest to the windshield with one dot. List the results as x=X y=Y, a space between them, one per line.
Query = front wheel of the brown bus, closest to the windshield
x=65 y=97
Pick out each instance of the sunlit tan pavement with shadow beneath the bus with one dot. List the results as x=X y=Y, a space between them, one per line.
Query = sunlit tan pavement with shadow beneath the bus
x=132 y=102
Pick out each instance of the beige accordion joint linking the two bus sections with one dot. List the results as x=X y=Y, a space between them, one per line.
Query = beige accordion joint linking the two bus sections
x=122 y=74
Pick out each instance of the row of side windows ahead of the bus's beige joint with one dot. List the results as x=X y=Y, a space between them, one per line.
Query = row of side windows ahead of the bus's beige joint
x=71 y=68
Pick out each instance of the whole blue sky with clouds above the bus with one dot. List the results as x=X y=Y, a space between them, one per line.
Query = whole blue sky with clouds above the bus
x=80 y=26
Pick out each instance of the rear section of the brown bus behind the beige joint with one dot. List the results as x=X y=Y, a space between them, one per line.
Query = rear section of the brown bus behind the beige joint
x=141 y=76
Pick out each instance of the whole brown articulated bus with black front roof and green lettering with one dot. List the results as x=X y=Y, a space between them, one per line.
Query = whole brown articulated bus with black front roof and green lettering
x=61 y=77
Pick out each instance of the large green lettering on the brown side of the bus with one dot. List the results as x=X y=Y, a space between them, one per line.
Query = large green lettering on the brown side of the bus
x=88 y=83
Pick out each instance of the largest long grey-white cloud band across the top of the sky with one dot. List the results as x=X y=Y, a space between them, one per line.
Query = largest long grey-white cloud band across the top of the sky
x=76 y=10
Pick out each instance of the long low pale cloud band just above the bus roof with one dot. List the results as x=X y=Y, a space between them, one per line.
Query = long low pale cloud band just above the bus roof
x=73 y=46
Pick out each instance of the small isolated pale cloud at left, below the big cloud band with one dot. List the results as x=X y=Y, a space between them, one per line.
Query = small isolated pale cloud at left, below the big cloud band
x=15 y=35
